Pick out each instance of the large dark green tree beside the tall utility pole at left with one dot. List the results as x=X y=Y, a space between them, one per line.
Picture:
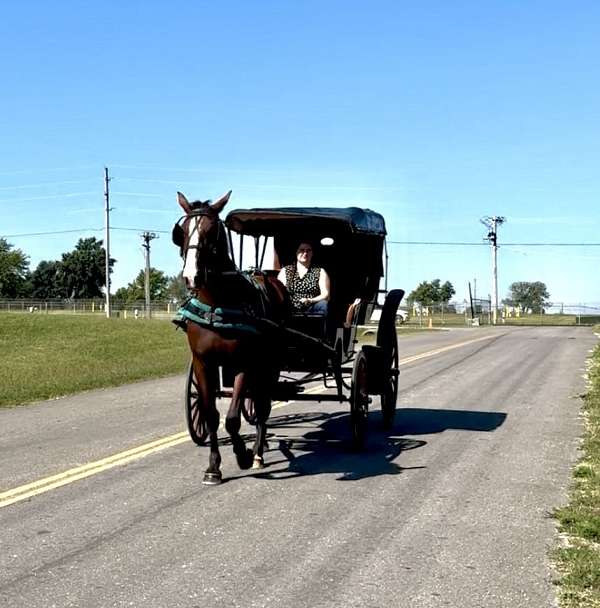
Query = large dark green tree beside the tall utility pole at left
x=83 y=271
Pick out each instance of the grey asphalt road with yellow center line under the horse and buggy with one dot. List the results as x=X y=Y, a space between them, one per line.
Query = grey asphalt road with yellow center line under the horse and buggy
x=451 y=508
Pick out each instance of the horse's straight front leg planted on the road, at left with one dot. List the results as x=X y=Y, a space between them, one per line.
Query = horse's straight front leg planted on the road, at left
x=206 y=378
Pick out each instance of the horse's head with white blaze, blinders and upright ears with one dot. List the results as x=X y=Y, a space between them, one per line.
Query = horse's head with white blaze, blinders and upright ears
x=200 y=236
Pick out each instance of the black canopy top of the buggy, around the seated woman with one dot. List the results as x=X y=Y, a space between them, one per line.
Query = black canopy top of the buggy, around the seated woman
x=354 y=261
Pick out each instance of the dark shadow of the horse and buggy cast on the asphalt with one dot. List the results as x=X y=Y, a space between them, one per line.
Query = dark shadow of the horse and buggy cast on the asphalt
x=326 y=446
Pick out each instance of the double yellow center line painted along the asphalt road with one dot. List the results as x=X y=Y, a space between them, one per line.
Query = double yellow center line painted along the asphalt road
x=46 y=484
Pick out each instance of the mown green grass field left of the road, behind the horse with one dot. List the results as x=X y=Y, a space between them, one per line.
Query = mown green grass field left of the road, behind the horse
x=43 y=357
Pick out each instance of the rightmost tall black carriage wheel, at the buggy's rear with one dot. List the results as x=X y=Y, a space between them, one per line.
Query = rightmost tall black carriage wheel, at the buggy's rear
x=387 y=340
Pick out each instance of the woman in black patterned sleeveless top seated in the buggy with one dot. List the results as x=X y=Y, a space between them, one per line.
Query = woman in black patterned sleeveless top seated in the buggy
x=307 y=285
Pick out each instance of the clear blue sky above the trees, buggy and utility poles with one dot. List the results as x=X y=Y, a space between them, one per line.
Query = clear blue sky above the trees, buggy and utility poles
x=435 y=114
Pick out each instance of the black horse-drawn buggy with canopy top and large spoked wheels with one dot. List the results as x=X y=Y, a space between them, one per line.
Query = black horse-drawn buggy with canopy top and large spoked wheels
x=353 y=251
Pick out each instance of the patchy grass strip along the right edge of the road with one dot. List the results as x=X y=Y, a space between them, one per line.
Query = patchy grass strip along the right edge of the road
x=578 y=562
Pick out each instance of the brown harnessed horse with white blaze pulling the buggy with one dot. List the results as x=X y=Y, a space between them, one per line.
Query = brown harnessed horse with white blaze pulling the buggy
x=245 y=340
